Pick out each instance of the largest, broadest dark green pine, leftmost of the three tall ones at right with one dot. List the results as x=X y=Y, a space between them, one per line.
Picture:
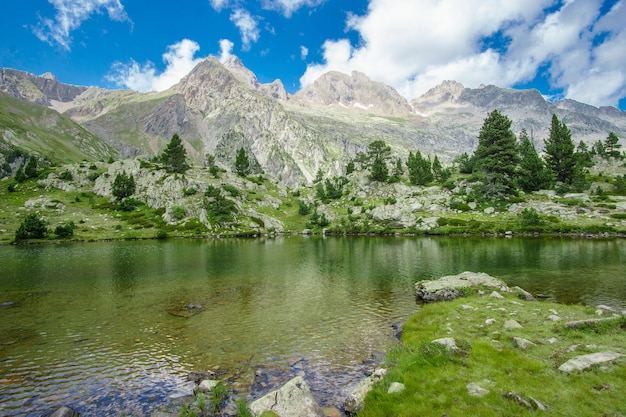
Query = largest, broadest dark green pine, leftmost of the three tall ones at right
x=496 y=154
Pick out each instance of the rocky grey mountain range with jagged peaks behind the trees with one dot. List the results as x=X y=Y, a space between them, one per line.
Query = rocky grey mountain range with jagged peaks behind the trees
x=221 y=107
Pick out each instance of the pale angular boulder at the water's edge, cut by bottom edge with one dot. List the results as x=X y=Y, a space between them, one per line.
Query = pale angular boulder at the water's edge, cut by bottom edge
x=294 y=399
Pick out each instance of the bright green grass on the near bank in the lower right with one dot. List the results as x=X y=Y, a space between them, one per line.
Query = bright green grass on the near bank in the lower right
x=436 y=379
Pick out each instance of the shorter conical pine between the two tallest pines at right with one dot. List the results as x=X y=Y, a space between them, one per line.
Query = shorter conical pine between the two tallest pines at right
x=533 y=174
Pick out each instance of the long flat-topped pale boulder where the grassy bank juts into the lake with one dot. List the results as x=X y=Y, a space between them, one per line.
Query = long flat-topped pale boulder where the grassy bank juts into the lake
x=452 y=286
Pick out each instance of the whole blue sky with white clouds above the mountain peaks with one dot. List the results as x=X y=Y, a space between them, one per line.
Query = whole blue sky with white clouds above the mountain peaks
x=564 y=48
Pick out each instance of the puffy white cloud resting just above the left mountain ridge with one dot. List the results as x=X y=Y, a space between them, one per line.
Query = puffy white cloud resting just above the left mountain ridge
x=179 y=60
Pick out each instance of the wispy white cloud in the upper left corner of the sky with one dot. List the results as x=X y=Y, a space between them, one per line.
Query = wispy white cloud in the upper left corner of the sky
x=70 y=14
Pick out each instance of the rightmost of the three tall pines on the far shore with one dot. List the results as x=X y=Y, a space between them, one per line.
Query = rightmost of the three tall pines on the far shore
x=559 y=149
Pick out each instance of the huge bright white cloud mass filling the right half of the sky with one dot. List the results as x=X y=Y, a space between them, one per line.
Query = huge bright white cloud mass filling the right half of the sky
x=415 y=44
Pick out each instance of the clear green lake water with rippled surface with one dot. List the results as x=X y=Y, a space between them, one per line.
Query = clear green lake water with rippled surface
x=106 y=327
